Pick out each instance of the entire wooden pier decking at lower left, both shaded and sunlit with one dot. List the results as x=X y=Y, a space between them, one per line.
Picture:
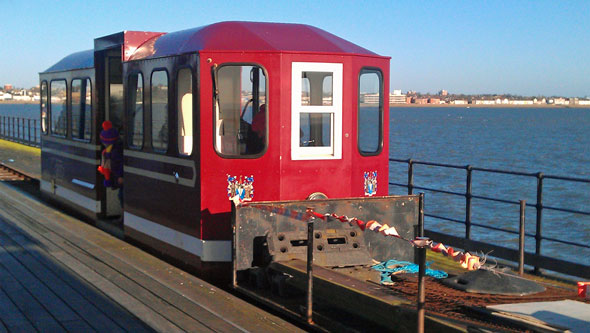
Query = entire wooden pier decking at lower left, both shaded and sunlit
x=60 y=274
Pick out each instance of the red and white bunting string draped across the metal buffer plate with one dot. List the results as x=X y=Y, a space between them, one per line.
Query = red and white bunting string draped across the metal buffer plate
x=465 y=259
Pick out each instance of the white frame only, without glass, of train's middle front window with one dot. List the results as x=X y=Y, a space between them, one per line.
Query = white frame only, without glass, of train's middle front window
x=334 y=151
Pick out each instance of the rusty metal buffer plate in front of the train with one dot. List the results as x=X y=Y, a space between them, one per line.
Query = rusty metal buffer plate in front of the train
x=262 y=236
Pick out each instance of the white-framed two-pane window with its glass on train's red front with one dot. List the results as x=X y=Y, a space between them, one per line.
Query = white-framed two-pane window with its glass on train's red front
x=316 y=120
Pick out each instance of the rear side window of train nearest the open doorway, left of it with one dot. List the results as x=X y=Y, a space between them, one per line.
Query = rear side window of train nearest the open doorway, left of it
x=81 y=109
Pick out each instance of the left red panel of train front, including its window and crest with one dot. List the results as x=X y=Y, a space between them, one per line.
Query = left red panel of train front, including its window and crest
x=239 y=135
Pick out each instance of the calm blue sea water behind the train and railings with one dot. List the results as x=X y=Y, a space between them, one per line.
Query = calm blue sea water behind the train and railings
x=554 y=141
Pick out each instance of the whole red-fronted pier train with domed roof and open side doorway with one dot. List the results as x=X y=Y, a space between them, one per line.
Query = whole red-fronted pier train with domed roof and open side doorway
x=261 y=111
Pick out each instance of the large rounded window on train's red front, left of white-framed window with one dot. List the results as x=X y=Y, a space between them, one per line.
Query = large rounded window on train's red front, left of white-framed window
x=240 y=111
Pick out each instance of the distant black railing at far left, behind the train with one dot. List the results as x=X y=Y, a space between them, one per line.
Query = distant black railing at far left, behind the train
x=21 y=130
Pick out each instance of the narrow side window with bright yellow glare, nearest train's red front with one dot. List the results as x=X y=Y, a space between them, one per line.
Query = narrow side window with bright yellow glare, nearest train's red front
x=185 y=111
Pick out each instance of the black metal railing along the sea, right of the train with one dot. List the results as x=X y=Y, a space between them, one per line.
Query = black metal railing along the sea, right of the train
x=537 y=260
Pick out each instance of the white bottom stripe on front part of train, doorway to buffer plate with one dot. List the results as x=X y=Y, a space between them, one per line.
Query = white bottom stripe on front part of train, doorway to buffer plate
x=207 y=250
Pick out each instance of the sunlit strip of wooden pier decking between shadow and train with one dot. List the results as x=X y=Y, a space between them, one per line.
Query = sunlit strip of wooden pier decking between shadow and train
x=133 y=278
